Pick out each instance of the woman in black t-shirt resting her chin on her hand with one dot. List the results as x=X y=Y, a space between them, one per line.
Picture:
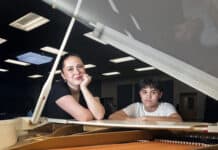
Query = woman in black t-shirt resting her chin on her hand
x=70 y=97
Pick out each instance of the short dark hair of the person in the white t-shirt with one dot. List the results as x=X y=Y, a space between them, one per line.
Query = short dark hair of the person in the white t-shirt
x=150 y=83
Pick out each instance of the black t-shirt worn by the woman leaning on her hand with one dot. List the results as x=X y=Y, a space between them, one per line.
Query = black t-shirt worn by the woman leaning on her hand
x=51 y=109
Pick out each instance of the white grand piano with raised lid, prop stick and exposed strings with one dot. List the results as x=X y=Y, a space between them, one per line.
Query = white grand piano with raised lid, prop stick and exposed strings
x=37 y=132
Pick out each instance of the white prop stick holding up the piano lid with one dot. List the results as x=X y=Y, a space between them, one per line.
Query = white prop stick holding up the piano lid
x=47 y=86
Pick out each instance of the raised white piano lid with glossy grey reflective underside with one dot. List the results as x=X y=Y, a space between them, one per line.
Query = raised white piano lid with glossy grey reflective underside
x=180 y=38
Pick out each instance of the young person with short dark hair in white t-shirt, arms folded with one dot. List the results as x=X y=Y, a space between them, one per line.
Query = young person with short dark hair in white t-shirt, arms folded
x=149 y=109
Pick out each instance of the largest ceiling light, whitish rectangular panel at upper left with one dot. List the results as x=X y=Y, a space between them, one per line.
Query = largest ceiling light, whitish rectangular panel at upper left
x=29 y=22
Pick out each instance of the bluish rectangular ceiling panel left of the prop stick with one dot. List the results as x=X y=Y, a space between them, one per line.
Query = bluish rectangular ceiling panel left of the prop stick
x=34 y=58
